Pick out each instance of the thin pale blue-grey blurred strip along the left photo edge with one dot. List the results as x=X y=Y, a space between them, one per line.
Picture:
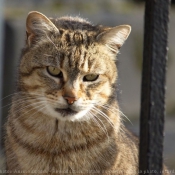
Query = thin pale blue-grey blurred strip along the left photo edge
x=1 y=66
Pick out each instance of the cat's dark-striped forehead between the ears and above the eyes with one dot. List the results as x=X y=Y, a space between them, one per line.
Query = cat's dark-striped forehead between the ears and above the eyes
x=78 y=50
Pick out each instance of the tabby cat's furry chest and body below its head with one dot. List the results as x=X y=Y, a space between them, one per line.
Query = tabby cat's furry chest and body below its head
x=51 y=146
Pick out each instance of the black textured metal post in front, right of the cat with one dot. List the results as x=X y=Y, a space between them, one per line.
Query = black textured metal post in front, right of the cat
x=153 y=86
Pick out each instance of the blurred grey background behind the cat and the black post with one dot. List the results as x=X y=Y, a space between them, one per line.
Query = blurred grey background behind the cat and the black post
x=106 y=12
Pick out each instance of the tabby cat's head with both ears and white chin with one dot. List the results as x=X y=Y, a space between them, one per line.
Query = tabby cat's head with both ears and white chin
x=69 y=64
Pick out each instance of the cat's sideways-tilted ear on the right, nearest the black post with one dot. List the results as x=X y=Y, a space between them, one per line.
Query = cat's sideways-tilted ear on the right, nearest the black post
x=114 y=37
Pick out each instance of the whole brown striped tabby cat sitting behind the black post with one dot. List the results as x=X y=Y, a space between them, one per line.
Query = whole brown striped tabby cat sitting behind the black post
x=65 y=117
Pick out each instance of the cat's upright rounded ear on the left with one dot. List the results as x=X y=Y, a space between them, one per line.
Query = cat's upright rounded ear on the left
x=38 y=24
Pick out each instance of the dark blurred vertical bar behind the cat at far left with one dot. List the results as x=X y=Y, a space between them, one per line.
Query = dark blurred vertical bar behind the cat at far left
x=8 y=72
